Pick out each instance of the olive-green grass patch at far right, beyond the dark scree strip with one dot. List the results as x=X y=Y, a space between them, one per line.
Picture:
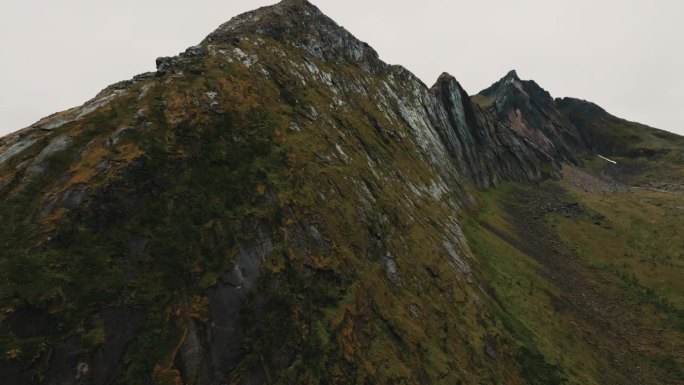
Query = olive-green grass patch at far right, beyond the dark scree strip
x=627 y=232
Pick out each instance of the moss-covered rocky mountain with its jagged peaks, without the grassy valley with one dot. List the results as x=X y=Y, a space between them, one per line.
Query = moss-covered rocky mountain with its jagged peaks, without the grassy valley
x=275 y=204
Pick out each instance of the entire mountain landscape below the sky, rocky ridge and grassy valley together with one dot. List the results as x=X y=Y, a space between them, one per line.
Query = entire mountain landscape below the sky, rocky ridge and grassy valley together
x=278 y=205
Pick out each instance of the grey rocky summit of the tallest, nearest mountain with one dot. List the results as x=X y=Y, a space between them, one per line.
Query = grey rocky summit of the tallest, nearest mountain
x=303 y=25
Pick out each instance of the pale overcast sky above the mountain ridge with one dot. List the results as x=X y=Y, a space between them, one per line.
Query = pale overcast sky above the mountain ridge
x=625 y=55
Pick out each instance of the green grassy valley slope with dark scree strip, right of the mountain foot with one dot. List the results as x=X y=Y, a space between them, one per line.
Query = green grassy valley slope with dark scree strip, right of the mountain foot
x=622 y=250
